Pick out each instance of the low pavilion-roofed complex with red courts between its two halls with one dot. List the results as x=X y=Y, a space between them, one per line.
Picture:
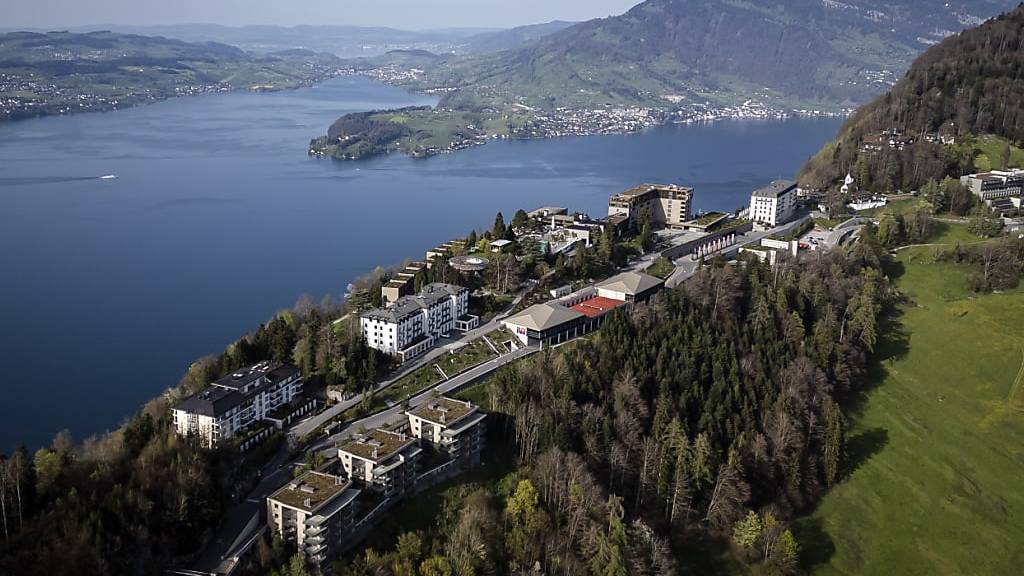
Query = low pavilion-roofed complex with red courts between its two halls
x=576 y=315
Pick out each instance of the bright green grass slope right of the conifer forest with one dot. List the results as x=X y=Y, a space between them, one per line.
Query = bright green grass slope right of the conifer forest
x=936 y=447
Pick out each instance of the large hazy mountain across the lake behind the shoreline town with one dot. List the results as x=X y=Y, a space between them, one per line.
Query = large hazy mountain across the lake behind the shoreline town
x=788 y=53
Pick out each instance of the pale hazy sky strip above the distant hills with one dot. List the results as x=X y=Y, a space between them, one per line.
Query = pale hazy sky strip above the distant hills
x=410 y=15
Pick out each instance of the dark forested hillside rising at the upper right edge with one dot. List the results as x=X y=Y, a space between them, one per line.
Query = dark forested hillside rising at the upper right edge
x=954 y=98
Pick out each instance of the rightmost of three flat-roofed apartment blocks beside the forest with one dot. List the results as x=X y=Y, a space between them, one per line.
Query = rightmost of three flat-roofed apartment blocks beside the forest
x=451 y=426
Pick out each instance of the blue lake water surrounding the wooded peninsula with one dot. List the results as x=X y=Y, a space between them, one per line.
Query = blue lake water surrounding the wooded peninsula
x=109 y=289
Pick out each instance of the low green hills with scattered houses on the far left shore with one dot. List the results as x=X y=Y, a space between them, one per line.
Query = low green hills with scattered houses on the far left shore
x=64 y=72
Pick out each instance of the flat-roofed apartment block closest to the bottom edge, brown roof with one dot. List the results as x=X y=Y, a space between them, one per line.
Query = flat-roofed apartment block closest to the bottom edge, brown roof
x=315 y=513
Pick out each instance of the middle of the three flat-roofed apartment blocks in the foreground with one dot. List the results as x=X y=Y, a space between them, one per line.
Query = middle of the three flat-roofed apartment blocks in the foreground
x=383 y=461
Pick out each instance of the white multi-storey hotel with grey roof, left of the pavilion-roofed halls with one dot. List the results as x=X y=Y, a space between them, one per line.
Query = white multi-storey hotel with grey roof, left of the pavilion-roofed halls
x=412 y=324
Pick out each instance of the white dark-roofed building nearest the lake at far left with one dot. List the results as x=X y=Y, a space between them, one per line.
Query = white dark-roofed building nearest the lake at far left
x=234 y=403
